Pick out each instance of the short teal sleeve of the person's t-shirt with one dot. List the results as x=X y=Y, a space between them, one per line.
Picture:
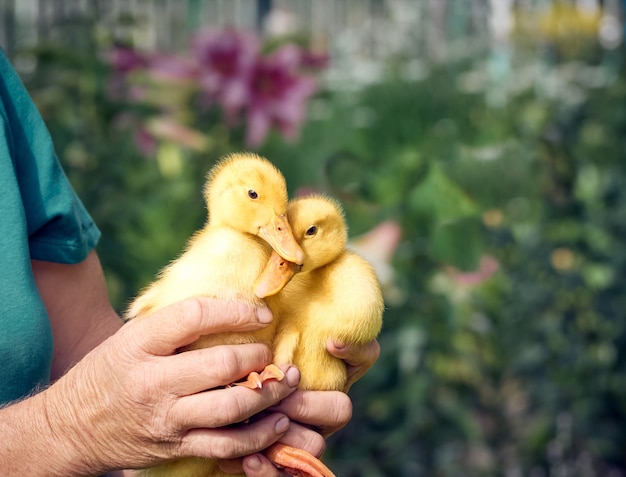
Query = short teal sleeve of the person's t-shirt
x=59 y=227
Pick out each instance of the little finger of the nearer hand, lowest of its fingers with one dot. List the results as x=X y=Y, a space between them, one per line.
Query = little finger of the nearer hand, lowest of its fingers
x=235 y=441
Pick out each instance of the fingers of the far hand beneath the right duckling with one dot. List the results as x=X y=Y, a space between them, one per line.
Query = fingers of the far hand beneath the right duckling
x=318 y=414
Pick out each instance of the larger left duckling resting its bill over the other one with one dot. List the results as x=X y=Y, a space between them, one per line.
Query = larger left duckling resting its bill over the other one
x=247 y=201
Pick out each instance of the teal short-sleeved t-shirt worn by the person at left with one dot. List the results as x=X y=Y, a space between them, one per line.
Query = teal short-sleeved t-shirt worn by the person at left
x=40 y=218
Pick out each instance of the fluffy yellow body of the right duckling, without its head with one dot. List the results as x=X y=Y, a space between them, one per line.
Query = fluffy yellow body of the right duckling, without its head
x=339 y=301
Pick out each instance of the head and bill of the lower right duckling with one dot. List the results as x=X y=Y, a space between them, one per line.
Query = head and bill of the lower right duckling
x=320 y=228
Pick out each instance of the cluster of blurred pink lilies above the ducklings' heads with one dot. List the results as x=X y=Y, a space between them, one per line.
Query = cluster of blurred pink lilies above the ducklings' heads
x=229 y=70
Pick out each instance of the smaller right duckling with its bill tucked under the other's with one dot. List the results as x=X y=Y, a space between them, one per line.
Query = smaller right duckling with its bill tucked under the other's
x=335 y=295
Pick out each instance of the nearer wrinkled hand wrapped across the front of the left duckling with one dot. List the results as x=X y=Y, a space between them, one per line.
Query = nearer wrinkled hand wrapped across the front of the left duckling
x=133 y=401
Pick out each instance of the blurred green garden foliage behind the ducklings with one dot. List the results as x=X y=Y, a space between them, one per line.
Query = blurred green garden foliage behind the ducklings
x=519 y=373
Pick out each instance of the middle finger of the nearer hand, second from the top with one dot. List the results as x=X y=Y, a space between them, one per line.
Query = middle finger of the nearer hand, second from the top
x=198 y=370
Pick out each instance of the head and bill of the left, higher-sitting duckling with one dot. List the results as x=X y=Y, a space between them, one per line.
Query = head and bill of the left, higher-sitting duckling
x=248 y=193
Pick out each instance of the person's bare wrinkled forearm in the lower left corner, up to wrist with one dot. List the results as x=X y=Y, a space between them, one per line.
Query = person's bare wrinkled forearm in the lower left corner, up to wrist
x=66 y=430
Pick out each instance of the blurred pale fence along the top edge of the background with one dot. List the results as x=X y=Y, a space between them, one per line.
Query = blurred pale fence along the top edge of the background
x=360 y=36
